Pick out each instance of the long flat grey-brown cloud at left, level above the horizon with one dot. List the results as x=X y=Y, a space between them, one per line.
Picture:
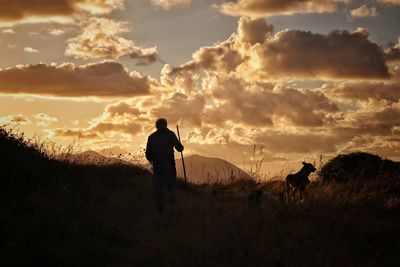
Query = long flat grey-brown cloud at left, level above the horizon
x=106 y=79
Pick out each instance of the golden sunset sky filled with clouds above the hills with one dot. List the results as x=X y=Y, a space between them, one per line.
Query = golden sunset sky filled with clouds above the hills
x=299 y=78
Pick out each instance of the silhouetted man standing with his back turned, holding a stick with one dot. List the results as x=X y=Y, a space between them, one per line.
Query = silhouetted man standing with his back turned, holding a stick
x=160 y=153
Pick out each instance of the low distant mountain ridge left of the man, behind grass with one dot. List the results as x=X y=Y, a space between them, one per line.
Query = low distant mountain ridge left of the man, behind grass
x=91 y=157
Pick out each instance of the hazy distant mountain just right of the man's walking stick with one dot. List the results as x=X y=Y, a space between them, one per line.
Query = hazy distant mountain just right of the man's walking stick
x=202 y=170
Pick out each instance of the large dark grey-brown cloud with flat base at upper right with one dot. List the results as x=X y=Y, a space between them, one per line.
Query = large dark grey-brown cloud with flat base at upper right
x=340 y=54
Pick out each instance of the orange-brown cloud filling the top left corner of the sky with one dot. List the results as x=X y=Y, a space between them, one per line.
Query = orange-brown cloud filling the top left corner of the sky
x=21 y=11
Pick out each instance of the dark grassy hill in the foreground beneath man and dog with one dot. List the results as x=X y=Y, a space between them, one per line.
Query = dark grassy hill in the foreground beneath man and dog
x=55 y=213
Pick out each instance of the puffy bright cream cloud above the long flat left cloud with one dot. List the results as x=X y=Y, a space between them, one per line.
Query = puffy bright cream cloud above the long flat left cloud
x=101 y=38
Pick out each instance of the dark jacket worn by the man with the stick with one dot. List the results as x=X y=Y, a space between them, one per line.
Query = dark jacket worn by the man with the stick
x=160 y=147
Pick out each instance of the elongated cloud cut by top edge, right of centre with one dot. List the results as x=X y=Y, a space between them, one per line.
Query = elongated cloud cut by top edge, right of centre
x=263 y=8
